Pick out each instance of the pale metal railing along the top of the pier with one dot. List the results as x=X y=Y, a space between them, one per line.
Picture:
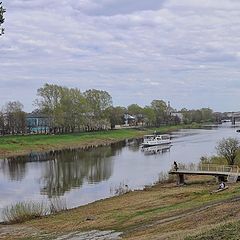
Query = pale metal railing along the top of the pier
x=209 y=168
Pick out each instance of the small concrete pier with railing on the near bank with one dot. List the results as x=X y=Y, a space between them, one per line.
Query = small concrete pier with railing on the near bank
x=221 y=172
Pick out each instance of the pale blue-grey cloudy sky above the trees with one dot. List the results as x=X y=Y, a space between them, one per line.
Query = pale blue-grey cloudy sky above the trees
x=183 y=51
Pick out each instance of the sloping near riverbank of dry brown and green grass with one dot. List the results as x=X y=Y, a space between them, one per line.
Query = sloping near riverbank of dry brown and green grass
x=164 y=211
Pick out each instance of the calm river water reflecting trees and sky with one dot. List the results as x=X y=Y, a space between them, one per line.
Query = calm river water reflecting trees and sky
x=82 y=176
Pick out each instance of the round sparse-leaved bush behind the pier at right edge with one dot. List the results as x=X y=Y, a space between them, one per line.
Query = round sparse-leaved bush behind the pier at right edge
x=228 y=148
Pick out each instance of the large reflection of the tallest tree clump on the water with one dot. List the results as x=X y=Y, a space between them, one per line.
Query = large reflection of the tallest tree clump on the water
x=70 y=168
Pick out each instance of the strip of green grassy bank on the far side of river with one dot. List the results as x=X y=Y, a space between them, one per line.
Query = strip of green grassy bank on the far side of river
x=18 y=145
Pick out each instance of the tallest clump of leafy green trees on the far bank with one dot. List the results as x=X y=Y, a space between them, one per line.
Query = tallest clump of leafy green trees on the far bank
x=70 y=110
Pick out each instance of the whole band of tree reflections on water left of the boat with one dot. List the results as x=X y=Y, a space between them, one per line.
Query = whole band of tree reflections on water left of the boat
x=66 y=169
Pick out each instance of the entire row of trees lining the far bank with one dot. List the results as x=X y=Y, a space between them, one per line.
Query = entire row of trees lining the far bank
x=70 y=110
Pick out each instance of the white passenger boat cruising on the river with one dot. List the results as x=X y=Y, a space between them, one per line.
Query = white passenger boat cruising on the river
x=153 y=140
